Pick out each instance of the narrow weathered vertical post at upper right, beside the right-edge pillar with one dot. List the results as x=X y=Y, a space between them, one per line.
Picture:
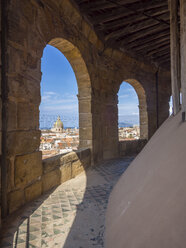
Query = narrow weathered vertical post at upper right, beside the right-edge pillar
x=175 y=55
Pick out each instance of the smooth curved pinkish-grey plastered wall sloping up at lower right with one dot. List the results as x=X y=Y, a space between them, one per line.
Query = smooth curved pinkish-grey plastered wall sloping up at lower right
x=147 y=208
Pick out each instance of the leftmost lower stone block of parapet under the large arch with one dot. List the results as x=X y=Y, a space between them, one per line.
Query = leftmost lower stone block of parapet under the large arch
x=51 y=179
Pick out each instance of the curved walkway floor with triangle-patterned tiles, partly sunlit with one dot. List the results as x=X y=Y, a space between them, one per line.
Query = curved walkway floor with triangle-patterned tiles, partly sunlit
x=71 y=216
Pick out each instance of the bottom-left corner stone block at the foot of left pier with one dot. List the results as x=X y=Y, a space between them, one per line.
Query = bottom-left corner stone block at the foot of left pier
x=15 y=200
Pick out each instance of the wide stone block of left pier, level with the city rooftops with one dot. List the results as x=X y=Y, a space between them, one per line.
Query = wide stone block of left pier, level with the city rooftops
x=22 y=142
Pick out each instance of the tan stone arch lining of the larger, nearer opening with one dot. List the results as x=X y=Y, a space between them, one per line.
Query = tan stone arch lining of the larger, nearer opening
x=74 y=57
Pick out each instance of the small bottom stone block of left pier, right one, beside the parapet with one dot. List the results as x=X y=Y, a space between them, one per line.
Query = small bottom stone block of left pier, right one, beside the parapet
x=33 y=191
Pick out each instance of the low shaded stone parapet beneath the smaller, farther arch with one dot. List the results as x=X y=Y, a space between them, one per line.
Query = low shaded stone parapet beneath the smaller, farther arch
x=131 y=147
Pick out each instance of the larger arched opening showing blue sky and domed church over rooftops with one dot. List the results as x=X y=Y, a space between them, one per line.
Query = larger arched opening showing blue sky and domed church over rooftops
x=59 y=123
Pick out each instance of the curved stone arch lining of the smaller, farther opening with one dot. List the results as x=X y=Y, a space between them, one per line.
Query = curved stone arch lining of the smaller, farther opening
x=143 y=114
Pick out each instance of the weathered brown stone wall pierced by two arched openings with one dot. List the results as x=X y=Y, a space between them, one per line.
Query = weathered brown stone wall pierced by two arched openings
x=33 y=25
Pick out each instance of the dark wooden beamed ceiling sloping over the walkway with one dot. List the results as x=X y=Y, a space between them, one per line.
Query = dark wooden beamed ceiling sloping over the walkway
x=138 y=27
